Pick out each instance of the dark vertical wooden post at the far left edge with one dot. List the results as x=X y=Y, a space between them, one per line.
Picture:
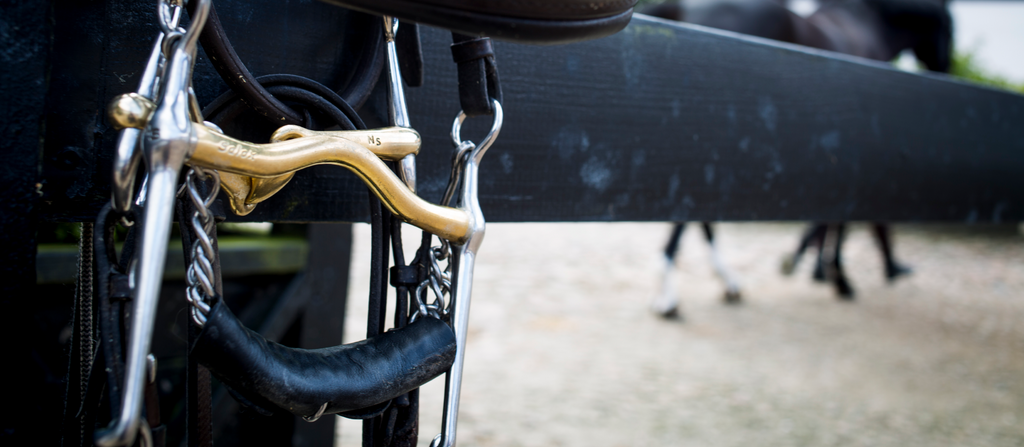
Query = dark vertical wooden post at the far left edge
x=23 y=87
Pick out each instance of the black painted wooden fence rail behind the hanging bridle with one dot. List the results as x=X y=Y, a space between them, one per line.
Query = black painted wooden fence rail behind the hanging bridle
x=671 y=122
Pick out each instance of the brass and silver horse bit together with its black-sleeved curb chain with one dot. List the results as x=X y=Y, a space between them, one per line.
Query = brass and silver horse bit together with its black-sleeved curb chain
x=165 y=118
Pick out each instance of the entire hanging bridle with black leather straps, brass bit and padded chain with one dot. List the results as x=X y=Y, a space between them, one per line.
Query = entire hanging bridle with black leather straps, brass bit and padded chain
x=162 y=124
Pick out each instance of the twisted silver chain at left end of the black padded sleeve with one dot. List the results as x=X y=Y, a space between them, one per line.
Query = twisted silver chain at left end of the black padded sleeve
x=201 y=277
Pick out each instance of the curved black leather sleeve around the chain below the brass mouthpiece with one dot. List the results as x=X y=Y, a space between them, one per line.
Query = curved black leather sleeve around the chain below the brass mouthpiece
x=347 y=378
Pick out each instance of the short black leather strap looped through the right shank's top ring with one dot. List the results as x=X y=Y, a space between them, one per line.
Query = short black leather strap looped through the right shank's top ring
x=478 y=74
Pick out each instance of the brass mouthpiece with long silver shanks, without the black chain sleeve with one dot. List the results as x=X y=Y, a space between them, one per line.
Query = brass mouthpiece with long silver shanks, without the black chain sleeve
x=165 y=118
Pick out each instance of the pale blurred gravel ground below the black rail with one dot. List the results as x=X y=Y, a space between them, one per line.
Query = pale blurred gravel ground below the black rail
x=564 y=350
